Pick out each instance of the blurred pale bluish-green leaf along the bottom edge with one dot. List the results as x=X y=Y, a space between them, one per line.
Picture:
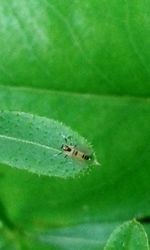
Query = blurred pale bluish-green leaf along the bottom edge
x=83 y=236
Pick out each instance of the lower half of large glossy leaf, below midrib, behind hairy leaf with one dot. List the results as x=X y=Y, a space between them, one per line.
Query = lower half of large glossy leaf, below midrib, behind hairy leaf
x=118 y=127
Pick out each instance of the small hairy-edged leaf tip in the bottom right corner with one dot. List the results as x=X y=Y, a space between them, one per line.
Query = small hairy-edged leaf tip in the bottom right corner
x=128 y=236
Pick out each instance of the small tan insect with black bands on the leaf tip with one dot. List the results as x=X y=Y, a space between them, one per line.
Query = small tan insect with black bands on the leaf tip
x=74 y=152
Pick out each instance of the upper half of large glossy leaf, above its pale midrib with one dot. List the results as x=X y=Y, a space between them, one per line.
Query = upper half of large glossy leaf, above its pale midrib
x=81 y=46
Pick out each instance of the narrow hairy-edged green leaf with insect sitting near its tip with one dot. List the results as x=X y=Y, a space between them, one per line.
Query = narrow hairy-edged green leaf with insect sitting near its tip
x=43 y=146
